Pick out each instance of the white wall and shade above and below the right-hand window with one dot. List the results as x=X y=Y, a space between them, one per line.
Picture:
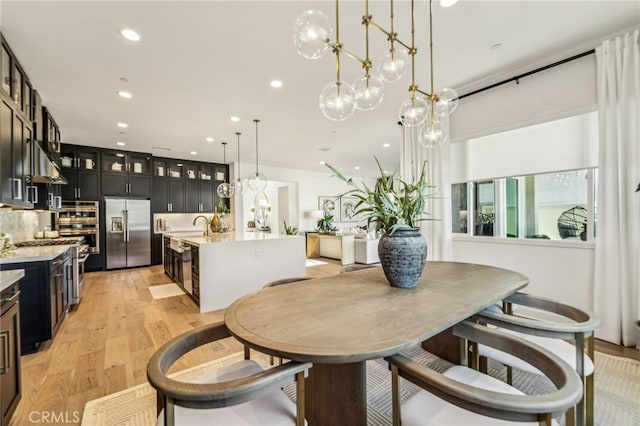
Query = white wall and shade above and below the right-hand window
x=559 y=270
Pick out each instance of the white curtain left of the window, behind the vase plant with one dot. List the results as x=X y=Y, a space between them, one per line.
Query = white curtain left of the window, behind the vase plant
x=437 y=230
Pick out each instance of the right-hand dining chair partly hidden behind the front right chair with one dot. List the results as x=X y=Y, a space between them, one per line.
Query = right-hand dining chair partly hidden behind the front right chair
x=550 y=324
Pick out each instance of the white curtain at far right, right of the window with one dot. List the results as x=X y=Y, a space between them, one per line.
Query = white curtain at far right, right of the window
x=617 y=268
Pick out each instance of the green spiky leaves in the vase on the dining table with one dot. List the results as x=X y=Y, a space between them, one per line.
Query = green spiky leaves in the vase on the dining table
x=392 y=203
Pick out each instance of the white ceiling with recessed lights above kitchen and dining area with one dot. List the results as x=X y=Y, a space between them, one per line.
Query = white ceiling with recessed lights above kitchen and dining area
x=199 y=63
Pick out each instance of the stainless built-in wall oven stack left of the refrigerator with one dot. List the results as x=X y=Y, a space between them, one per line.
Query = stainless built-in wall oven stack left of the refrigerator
x=80 y=219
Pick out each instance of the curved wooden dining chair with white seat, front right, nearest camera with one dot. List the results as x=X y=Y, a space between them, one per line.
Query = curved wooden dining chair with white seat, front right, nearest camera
x=464 y=396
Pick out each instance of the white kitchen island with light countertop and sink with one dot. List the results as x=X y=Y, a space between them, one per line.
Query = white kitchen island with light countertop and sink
x=228 y=265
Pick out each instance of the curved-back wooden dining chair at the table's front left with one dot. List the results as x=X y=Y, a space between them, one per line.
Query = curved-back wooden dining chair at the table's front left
x=238 y=394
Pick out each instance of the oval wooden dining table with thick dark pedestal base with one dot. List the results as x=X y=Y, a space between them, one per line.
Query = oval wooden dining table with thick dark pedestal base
x=339 y=322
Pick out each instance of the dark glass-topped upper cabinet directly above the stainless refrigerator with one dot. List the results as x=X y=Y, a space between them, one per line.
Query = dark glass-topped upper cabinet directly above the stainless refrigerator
x=126 y=173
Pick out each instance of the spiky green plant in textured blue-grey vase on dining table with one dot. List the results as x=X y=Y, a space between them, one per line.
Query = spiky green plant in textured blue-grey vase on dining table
x=396 y=207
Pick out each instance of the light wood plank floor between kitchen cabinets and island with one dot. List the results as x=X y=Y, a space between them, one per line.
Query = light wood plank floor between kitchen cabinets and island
x=103 y=346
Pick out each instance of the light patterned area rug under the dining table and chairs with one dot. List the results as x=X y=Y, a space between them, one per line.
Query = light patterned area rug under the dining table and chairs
x=617 y=391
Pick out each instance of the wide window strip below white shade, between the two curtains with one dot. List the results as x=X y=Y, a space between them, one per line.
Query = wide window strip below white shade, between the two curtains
x=555 y=206
